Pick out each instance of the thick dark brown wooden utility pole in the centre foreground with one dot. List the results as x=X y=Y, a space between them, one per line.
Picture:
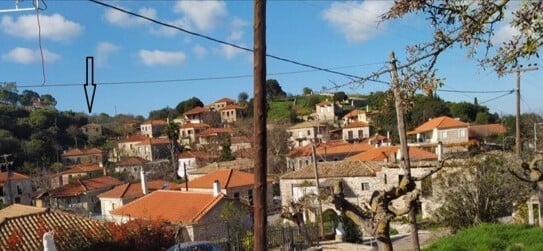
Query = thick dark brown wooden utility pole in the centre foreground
x=259 y=121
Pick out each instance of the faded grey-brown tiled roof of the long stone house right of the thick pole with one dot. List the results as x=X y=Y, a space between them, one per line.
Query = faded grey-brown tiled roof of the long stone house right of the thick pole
x=333 y=169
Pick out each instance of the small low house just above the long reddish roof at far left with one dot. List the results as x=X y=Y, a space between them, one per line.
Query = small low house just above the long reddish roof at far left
x=76 y=172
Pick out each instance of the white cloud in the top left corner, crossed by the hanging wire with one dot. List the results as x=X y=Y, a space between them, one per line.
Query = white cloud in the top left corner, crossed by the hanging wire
x=54 y=27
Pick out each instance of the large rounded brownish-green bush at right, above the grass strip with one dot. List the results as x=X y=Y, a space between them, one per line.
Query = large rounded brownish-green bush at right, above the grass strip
x=483 y=190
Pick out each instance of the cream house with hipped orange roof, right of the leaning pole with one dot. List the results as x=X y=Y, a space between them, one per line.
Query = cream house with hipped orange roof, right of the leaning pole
x=449 y=131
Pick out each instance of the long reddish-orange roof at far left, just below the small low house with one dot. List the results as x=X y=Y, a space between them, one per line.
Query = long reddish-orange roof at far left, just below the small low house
x=81 y=186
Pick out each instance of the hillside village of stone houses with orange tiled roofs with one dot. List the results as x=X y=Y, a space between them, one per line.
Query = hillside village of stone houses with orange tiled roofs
x=212 y=170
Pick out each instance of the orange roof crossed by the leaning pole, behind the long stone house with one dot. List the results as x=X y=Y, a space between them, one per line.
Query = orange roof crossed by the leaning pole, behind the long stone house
x=388 y=153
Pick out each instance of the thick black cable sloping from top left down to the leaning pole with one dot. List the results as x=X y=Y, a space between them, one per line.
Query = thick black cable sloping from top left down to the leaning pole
x=228 y=43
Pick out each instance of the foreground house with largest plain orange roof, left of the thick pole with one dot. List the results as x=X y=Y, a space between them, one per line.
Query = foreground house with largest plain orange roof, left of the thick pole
x=199 y=213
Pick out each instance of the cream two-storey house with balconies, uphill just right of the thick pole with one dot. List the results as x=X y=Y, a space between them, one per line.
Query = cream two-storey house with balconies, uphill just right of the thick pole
x=308 y=132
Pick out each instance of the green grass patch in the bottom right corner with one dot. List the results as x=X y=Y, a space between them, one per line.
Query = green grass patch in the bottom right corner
x=493 y=237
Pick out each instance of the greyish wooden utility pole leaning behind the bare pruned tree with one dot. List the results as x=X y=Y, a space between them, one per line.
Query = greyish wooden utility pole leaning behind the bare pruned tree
x=405 y=162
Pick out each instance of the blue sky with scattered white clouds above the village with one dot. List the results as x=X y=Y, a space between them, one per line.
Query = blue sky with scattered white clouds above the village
x=343 y=35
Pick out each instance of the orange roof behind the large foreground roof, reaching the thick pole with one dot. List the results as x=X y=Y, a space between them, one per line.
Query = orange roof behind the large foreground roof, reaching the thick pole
x=227 y=178
